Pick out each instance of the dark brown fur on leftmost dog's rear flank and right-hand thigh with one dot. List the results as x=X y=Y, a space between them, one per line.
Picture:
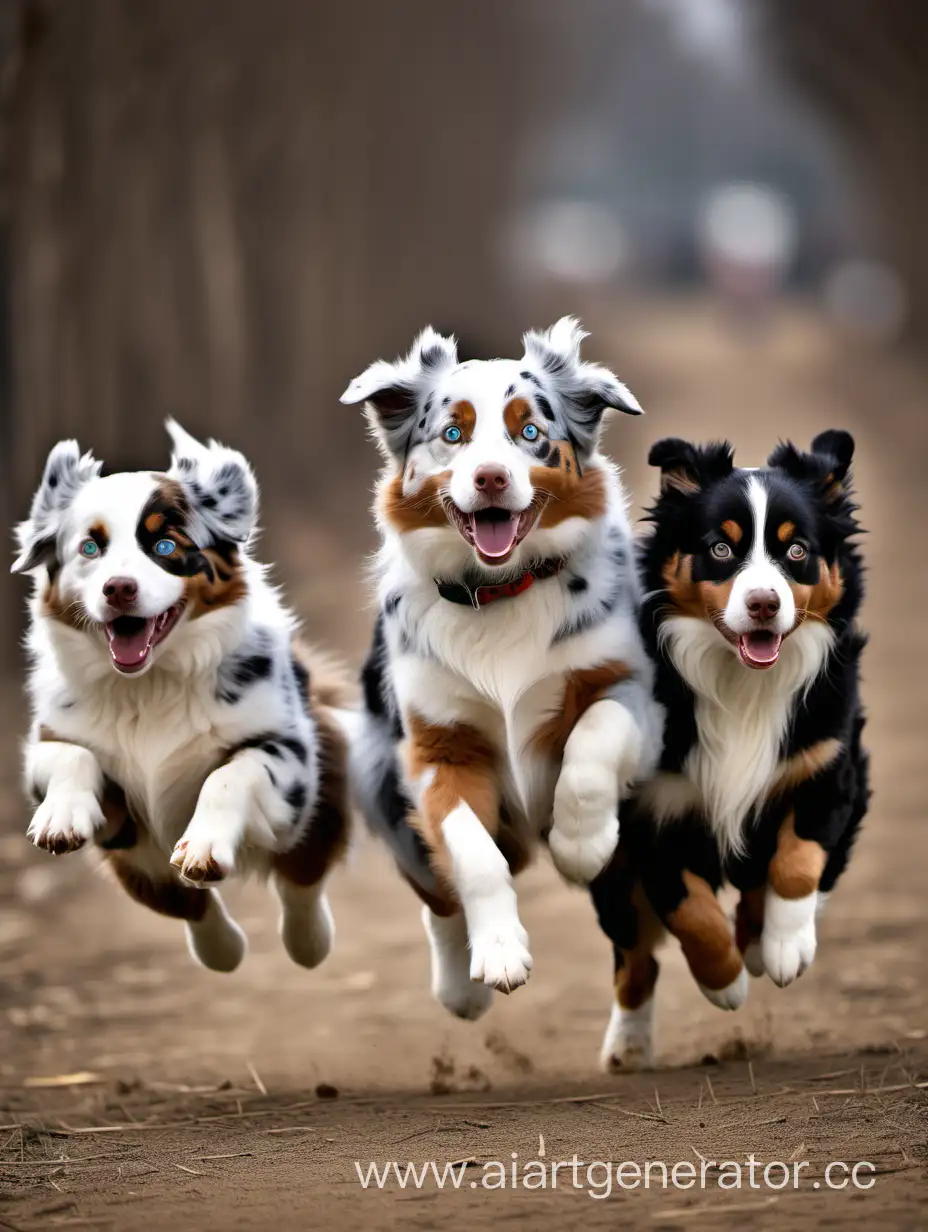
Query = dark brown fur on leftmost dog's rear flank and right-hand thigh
x=326 y=838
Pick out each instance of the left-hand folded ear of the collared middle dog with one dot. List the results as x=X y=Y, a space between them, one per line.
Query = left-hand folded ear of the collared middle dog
x=394 y=392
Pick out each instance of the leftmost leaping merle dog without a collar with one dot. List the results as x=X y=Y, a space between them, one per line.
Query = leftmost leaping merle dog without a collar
x=177 y=723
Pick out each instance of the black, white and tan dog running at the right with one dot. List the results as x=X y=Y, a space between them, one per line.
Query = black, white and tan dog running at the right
x=752 y=587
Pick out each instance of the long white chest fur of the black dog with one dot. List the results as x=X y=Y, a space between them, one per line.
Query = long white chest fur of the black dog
x=743 y=719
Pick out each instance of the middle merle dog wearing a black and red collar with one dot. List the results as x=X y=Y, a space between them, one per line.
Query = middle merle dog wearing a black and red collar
x=508 y=693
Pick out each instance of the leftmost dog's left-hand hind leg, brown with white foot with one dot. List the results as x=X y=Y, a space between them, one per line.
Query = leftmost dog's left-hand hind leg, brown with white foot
x=214 y=938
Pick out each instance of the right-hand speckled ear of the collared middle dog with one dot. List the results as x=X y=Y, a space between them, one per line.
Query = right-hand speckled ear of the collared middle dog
x=586 y=391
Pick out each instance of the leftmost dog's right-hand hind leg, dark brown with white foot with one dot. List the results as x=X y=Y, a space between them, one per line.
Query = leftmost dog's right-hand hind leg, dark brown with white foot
x=306 y=926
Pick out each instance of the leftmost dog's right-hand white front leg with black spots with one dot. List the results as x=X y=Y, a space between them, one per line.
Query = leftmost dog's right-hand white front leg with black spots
x=258 y=798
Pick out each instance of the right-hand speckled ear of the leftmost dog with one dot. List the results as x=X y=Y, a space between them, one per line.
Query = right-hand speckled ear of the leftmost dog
x=220 y=486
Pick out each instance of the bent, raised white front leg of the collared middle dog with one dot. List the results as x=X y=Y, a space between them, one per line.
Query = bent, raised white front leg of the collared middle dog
x=602 y=756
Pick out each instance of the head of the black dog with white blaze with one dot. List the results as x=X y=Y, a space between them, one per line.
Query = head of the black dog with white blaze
x=755 y=553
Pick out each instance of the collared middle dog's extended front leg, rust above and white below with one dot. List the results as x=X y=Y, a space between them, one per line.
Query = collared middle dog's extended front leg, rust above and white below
x=453 y=771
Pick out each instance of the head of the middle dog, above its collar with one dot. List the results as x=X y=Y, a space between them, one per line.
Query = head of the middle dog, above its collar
x=491 y=452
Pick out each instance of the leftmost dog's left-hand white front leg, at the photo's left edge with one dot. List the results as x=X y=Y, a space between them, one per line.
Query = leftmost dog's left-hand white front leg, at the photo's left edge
x=68 y=782
